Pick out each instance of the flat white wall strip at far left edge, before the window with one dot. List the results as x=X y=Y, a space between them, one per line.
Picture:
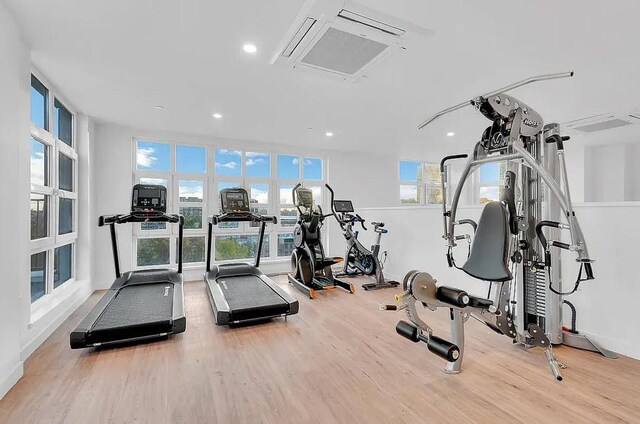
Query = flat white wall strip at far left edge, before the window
x=14 y=136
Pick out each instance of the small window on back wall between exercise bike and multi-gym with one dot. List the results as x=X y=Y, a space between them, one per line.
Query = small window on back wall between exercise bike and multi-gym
x=420 y=183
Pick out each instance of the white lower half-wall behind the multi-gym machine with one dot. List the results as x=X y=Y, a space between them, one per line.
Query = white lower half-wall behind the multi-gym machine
x=606 y=306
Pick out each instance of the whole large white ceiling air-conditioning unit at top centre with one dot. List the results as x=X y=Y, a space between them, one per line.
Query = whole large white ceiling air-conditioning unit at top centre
x=342 y=39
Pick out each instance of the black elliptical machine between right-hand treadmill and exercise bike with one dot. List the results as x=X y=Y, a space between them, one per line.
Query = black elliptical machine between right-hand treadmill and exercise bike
x=310 y=268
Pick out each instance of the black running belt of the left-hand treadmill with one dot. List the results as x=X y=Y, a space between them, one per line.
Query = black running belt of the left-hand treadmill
x=136 y=311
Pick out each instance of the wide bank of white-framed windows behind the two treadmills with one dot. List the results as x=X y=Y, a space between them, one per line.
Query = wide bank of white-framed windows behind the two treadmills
x=194 y=176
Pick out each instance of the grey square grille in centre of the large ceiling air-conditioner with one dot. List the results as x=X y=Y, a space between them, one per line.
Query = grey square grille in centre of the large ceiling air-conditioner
x=340 y=51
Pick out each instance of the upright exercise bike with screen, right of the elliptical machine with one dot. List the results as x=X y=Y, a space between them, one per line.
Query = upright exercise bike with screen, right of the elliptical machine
x=357 y=258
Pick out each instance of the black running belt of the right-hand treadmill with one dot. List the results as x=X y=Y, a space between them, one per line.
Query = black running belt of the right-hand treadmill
x=249 y=292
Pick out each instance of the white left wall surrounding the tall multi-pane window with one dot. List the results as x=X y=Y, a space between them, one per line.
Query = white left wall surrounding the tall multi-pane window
x=23 y=328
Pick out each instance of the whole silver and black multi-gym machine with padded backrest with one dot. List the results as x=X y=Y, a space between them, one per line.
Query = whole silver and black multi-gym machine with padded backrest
x=509 y=247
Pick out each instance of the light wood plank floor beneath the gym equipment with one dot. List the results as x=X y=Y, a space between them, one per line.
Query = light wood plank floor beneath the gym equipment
x=338 y=361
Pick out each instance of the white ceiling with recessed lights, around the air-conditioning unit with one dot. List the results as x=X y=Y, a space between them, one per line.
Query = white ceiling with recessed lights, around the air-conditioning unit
x=117 y=59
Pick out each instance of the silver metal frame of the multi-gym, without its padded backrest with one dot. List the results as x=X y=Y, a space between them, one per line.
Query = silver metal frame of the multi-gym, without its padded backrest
x=536 y=154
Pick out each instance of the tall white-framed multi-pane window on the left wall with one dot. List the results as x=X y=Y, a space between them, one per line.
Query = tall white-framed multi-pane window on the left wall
x=53 y=163
